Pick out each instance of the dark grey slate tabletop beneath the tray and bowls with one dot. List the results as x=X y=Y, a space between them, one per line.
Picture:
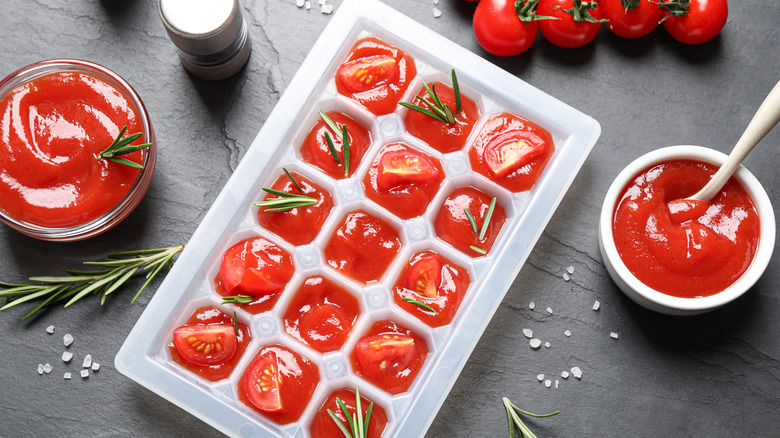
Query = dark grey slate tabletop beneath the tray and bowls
x=711 y=375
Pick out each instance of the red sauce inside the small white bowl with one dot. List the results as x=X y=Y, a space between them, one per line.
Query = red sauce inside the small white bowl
x=693 y=257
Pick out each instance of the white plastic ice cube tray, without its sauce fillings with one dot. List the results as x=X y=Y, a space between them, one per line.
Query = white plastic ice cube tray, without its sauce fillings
x=144 y=356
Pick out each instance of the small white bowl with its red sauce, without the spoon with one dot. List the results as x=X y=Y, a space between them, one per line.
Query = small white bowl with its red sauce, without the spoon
x=680 y=264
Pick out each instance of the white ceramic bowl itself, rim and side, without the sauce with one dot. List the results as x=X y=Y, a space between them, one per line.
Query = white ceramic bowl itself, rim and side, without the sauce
x=667 y=303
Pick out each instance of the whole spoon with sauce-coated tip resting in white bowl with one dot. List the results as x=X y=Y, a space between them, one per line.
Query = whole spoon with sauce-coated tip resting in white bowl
x=767 y=116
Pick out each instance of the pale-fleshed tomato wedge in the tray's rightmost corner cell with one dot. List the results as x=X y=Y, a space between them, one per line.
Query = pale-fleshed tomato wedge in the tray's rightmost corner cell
x=512 y=150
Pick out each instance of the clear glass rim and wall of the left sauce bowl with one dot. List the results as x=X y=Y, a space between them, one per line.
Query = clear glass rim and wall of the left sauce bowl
x=142 y=182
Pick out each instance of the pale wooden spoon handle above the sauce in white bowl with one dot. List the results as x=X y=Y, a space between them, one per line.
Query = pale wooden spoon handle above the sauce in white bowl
x=766 y=118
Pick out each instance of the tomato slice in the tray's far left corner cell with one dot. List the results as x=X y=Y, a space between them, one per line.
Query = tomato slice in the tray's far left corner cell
x=206 y=345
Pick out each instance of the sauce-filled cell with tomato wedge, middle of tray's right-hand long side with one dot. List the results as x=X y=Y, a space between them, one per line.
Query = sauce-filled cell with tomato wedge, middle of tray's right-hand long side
x=434 y=280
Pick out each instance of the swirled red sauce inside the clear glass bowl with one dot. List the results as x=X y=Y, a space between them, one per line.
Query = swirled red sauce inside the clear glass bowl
x=51 y=129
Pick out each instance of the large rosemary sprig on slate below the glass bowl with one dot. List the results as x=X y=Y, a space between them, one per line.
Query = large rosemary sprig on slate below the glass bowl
x=118 y=268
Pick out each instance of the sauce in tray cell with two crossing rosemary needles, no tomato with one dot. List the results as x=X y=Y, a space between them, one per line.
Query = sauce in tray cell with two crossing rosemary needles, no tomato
x=452 y=224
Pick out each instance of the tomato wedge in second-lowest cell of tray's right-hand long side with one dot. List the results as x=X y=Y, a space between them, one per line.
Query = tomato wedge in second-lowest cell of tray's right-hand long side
x=386 y=354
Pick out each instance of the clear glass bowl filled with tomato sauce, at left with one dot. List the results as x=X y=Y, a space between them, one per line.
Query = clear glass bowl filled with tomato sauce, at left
x=55 y=117
